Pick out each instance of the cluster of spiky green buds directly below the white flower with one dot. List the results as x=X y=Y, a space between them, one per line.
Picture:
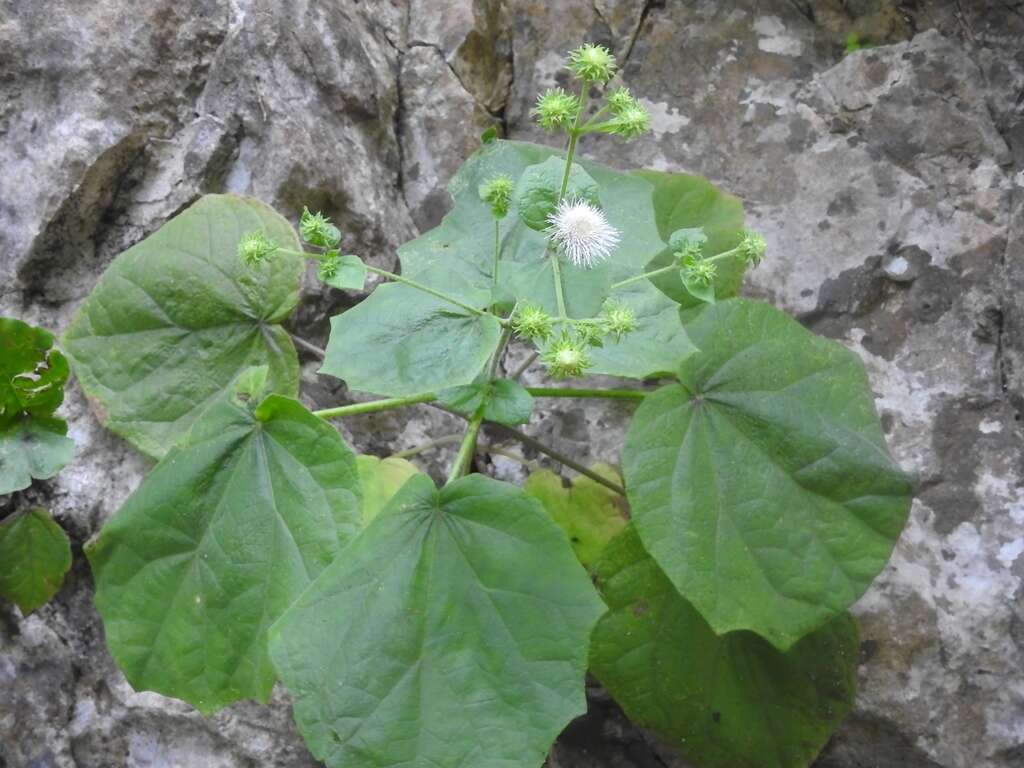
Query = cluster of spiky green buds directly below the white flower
x=568 y=355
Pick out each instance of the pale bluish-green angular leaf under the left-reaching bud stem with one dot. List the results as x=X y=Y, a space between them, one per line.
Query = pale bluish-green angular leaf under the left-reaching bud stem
x=401 y=342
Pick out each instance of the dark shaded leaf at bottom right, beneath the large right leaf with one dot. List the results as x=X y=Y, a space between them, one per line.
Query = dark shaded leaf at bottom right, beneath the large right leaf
x=724 y=702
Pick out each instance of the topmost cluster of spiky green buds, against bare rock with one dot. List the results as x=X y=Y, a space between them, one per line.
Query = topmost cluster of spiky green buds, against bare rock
x=594 y=65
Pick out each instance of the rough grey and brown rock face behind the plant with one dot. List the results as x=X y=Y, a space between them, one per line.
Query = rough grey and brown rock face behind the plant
x=889 y=183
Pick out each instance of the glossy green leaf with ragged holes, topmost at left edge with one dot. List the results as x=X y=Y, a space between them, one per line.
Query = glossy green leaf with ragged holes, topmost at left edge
x=33 y=372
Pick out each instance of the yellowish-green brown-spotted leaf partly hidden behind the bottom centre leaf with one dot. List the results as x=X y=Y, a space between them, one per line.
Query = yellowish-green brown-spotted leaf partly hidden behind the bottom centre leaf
x=589 y=514
